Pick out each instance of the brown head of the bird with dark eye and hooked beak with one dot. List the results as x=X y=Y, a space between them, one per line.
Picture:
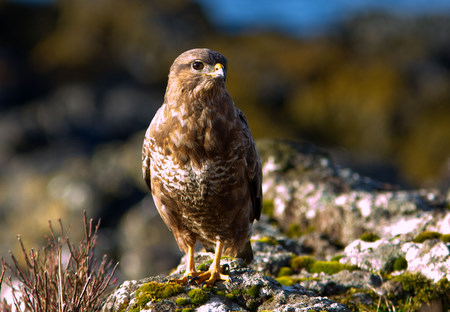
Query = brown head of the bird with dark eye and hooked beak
x=198 y=71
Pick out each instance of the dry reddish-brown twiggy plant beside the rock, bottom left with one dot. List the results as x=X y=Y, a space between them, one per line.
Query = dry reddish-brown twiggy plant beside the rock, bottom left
x=50 y=282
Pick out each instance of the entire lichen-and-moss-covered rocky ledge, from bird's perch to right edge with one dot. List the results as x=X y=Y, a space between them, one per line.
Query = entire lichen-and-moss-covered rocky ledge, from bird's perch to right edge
x=328 y=240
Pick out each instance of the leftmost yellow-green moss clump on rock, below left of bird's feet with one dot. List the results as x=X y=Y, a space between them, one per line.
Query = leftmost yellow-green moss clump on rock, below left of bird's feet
x=154 y=291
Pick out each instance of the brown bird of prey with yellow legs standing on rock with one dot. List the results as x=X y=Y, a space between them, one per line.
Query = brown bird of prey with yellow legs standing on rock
x=201 y=165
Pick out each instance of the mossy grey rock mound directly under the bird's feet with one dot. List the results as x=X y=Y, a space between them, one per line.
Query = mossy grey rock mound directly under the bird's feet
x=248 y=291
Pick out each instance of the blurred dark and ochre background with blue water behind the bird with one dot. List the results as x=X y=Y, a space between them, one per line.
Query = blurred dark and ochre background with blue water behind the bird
x=80 y=80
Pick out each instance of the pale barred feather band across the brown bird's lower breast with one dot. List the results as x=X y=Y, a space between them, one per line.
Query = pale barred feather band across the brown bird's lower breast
x=197 y=184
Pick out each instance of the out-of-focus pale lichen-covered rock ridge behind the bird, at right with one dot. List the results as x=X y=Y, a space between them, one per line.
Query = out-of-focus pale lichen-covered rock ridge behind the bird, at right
x=308 y=191
